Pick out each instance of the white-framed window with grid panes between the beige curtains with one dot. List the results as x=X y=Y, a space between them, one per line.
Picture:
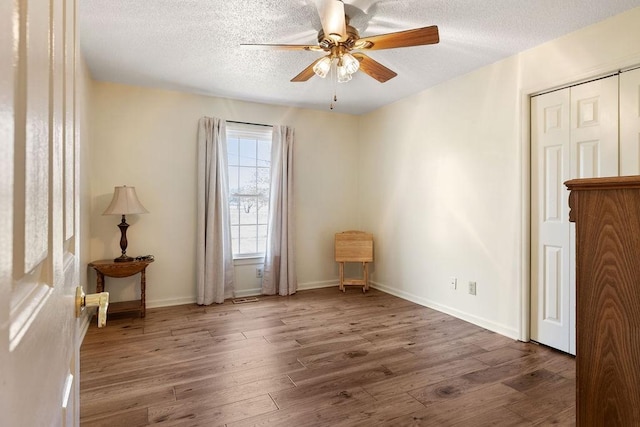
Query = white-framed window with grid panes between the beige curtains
x=249 y=152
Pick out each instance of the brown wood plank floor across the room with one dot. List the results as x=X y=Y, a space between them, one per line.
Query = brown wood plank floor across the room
x=318 y=358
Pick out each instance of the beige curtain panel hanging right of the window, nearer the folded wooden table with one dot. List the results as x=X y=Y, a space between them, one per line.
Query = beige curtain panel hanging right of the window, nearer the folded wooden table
x=279 y=266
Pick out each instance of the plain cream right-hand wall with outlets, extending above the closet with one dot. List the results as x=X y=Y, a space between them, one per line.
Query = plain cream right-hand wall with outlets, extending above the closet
x=444 y=176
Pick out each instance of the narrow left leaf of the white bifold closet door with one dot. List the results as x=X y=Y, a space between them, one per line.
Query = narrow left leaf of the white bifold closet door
x=550 y=279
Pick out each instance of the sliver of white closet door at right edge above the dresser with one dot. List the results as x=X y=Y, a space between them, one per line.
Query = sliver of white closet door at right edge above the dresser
x=630 y=123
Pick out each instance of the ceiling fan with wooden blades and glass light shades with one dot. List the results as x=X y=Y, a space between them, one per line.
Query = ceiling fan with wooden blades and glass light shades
x=338 y=40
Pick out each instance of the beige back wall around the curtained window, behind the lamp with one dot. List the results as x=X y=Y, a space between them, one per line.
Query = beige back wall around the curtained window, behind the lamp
x=147 y=138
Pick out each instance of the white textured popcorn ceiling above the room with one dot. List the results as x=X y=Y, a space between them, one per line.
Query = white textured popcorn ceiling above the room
x=194 y=45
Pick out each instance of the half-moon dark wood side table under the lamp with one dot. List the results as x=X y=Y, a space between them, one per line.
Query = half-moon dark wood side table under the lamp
x=109 y=268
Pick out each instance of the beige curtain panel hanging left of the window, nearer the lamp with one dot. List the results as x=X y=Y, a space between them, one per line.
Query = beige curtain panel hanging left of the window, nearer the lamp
x=214 y=257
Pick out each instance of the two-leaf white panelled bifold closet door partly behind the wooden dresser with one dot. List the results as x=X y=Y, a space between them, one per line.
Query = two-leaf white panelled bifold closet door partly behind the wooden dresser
x=574 y=135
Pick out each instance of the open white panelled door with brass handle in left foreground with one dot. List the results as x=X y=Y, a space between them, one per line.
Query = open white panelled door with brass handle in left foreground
x=39 y=266
